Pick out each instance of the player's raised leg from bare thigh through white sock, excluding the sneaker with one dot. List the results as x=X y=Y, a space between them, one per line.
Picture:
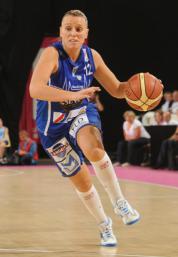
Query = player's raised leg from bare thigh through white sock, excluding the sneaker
x=89 y=140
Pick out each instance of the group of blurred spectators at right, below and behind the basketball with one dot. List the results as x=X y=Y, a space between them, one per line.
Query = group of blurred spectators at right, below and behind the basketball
x=135 y=148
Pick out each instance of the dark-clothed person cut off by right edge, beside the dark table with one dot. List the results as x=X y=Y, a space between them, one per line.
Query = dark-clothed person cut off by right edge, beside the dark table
x=168 y=154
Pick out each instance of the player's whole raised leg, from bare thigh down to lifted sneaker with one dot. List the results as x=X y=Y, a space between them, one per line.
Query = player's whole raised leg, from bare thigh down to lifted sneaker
x=89 y=140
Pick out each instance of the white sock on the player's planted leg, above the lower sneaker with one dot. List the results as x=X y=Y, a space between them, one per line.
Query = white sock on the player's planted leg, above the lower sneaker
x=93 y=203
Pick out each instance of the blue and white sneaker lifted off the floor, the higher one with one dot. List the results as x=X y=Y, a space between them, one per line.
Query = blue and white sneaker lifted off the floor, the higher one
x=126 y=212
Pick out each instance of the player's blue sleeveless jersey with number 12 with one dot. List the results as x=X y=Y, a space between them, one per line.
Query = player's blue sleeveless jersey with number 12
x=70 y=76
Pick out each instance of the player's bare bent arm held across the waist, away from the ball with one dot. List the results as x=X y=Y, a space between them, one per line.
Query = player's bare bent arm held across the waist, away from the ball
x=39 y=89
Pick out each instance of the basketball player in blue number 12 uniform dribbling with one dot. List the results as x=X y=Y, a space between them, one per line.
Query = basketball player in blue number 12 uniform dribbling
x=68 y=123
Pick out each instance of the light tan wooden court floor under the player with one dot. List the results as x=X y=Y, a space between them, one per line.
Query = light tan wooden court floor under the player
x=41 y=215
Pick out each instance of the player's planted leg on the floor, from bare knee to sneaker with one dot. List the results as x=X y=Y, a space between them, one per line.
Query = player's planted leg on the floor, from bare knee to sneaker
x=90 y=198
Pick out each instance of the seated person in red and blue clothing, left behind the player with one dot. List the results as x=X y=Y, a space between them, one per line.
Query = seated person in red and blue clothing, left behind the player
x=27 y=150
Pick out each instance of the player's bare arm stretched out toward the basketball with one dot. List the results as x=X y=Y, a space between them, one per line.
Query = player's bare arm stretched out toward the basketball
x=107 y=78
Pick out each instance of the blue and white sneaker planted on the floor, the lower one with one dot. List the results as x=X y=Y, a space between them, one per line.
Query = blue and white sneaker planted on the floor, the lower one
x=108 y=239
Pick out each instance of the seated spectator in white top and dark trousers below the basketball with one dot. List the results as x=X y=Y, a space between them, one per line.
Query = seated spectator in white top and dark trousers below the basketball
x=135 y=137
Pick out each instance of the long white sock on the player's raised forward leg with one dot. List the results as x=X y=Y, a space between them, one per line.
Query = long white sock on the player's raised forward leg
x=107 y=177
